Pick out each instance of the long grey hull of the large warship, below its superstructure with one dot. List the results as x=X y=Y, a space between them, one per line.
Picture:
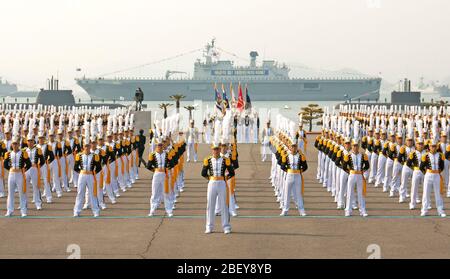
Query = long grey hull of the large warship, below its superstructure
x=259 y=90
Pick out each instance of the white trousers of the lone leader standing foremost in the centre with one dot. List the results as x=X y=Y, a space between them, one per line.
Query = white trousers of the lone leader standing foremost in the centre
x=217 y=192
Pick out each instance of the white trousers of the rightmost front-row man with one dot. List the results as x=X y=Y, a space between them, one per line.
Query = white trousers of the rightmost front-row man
x=432 y=182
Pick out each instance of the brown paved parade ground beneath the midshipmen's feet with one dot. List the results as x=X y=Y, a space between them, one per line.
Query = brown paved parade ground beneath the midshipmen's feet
x=125 y=231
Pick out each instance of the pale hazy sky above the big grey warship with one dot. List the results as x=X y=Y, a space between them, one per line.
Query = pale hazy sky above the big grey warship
x=395 y=37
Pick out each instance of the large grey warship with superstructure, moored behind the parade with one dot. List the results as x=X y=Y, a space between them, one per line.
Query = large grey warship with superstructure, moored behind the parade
x=267 y=81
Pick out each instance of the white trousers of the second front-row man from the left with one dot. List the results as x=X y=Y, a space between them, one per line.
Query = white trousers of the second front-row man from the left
x=85 y=182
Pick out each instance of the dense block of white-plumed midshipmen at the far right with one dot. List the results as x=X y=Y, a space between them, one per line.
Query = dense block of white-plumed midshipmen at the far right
x=402 y=149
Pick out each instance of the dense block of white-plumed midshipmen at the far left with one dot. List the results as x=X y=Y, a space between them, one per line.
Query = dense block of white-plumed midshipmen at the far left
x=52 y=150
